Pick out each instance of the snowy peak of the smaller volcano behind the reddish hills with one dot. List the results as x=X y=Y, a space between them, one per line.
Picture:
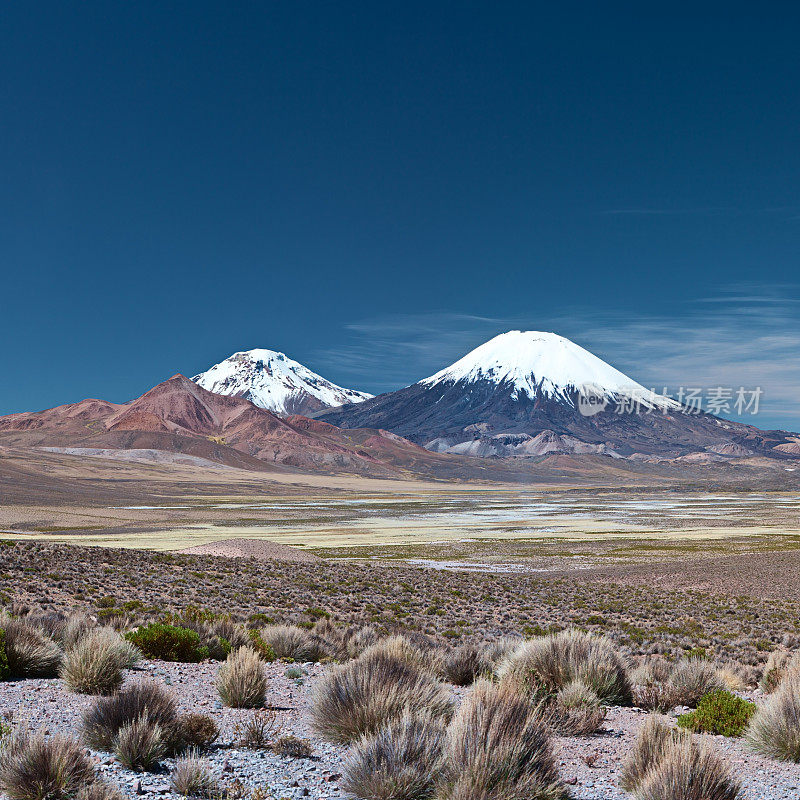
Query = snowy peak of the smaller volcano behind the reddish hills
x=276 y=382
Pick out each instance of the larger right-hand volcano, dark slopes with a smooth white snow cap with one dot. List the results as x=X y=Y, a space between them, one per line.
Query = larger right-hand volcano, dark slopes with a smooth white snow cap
x=529 y=393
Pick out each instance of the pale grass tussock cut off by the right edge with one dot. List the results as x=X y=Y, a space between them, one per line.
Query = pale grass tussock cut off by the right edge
x=774 y=729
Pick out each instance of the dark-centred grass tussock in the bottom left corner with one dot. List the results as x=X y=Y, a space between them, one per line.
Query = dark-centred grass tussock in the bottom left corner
x=33 y=767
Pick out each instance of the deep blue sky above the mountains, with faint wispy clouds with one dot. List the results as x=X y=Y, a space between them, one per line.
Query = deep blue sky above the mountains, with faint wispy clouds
x=374 y=188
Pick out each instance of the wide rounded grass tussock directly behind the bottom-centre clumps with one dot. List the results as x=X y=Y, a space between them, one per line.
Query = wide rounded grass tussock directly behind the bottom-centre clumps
x=361 y=696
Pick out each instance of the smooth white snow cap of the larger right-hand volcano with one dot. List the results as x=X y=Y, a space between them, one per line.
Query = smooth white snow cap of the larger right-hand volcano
x=539 y=363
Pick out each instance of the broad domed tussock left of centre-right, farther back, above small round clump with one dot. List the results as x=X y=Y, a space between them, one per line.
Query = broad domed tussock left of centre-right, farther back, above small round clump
x=550 y=663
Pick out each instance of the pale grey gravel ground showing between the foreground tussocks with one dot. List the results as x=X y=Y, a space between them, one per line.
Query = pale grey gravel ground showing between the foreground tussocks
x=589 y=764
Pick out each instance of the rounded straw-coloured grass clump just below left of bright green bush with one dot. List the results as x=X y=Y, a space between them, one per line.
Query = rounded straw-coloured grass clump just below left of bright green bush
x=94 y=664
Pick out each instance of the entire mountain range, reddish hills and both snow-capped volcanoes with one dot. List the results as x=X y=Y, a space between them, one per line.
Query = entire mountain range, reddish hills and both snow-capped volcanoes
x=519 y=398
